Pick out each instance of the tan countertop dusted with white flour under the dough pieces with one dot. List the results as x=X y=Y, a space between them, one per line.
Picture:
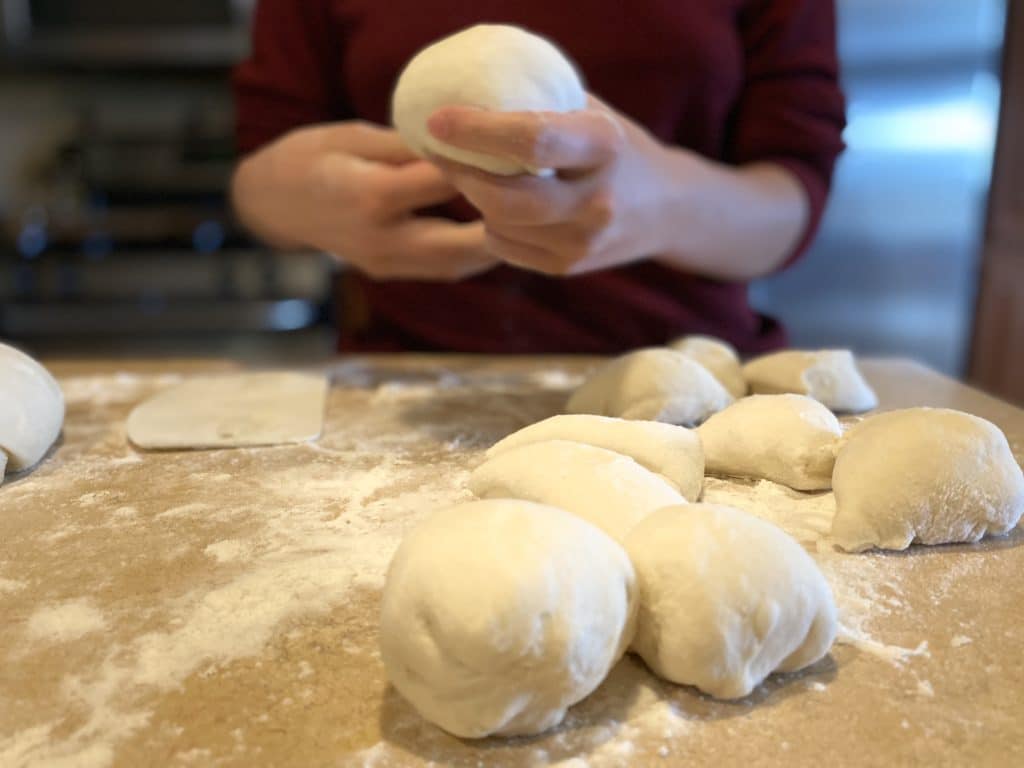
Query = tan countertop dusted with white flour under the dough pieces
x=219 y=608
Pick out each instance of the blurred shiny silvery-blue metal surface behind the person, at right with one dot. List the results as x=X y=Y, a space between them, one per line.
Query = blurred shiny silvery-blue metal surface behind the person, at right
x=894 y=270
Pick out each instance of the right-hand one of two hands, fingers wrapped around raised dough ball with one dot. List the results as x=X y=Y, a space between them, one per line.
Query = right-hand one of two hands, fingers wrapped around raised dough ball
x=601 y=209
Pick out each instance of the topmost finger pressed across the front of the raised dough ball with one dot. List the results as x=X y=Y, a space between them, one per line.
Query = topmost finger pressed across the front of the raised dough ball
x=585 y=139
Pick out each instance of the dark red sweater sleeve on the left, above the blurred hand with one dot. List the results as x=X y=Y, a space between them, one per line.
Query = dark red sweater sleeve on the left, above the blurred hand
x=291 y=77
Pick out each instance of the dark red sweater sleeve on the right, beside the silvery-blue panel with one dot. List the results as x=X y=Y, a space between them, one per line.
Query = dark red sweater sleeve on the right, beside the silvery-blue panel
x=791 y=110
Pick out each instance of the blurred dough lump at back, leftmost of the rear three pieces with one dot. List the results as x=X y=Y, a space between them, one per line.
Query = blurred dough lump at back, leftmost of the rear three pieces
x=652 y=385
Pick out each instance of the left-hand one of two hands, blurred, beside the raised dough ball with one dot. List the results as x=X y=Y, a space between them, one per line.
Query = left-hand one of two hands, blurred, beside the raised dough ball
x=351 y=190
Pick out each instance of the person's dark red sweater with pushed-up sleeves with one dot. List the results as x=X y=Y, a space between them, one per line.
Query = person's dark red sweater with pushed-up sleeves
x=735 y=80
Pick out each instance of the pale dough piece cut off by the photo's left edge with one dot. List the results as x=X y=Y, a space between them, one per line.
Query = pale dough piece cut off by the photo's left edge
x=32 y=410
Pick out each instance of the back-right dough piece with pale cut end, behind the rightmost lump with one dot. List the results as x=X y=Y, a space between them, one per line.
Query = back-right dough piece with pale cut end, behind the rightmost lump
x=830 y=376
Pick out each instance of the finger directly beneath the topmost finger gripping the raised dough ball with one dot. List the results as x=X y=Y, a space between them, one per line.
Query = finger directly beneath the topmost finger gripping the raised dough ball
x=518 y=201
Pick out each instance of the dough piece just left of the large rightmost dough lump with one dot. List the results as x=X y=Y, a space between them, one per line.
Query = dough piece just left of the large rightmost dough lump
x=787 y=439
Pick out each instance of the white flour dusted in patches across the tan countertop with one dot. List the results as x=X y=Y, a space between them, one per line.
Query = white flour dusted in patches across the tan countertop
x=306 y=537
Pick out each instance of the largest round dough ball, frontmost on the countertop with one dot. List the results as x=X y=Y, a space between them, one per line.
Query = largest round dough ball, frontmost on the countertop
x=498 y=616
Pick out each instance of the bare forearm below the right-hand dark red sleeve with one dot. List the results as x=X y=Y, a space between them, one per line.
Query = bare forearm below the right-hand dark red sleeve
x=729 y=223
